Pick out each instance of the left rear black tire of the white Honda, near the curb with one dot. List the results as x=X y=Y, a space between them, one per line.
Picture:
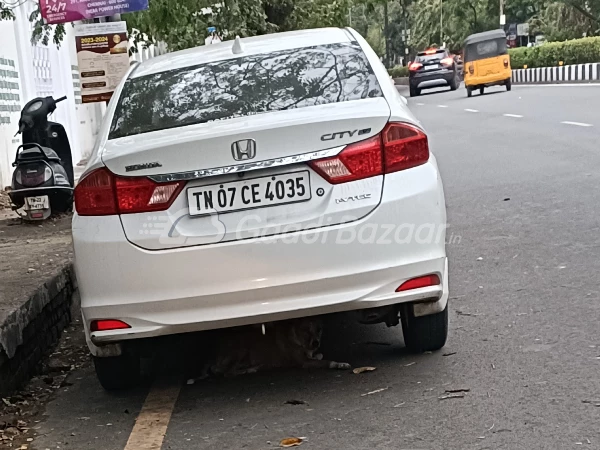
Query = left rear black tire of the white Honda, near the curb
x=118 y=372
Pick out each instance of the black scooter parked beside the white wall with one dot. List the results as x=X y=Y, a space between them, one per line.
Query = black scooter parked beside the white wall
x=43 y=180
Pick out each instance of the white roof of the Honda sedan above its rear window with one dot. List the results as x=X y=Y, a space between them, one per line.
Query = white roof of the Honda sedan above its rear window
x=251 y=46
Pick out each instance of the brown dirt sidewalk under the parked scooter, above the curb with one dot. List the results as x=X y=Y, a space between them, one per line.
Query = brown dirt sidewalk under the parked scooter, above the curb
x=29 y=254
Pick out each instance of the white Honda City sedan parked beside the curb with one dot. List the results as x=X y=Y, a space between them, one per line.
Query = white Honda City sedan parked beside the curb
x=252 y=181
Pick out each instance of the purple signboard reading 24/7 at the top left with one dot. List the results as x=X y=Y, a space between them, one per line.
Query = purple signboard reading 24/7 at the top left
x=61 y=11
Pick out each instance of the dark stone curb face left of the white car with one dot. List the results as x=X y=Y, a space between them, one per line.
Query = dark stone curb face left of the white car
x=31 y=330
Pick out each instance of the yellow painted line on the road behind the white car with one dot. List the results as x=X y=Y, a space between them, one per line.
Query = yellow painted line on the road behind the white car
x=151 y=425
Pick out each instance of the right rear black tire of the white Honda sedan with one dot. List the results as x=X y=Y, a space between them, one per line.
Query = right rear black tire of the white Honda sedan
x=424 y=334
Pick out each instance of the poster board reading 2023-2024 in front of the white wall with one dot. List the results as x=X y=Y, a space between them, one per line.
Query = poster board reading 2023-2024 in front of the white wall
x=103 y=59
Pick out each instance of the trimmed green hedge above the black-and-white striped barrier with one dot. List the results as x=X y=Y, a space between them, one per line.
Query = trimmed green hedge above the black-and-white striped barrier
x=577 y=51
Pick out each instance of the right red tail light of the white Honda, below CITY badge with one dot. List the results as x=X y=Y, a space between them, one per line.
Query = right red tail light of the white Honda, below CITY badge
x=398 y=147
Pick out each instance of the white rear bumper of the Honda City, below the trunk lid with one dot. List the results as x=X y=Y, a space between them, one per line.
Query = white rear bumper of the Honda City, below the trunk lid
x=346 y=267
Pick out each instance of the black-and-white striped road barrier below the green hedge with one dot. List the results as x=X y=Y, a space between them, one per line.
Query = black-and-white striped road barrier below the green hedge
x=561 y=74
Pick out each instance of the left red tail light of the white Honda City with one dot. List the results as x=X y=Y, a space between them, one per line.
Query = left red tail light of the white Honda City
x=102 y=193
